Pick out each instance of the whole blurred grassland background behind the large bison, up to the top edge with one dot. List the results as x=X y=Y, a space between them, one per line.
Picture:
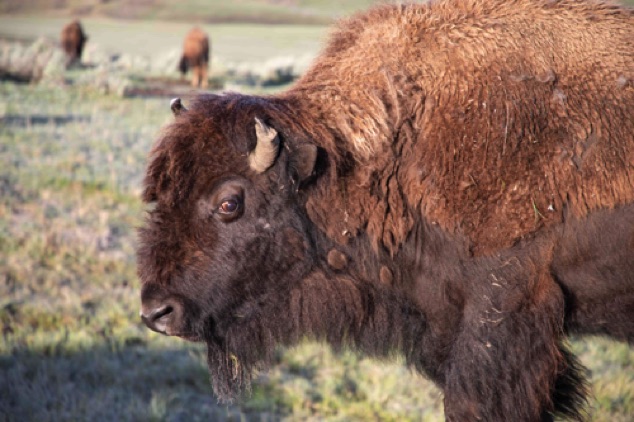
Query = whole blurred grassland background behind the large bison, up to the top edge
x=74 y=135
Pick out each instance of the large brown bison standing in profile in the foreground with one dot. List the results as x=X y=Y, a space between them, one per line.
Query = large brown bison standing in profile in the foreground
x=453 y=182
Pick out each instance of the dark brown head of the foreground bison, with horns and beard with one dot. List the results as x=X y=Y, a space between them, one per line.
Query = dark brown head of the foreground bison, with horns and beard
x=225 y=236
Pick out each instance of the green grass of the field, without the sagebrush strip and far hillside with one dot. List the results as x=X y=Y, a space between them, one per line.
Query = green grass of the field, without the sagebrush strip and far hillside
x=72 y=346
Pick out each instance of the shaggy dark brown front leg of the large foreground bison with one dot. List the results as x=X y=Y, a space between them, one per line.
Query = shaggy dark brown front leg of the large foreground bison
x=508 y=362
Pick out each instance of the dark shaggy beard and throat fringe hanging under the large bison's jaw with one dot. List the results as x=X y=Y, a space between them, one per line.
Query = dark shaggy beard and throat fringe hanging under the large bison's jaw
x=335 y=310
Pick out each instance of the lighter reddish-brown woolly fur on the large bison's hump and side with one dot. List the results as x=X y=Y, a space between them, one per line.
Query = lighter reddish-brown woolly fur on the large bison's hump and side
x=455 y=90
